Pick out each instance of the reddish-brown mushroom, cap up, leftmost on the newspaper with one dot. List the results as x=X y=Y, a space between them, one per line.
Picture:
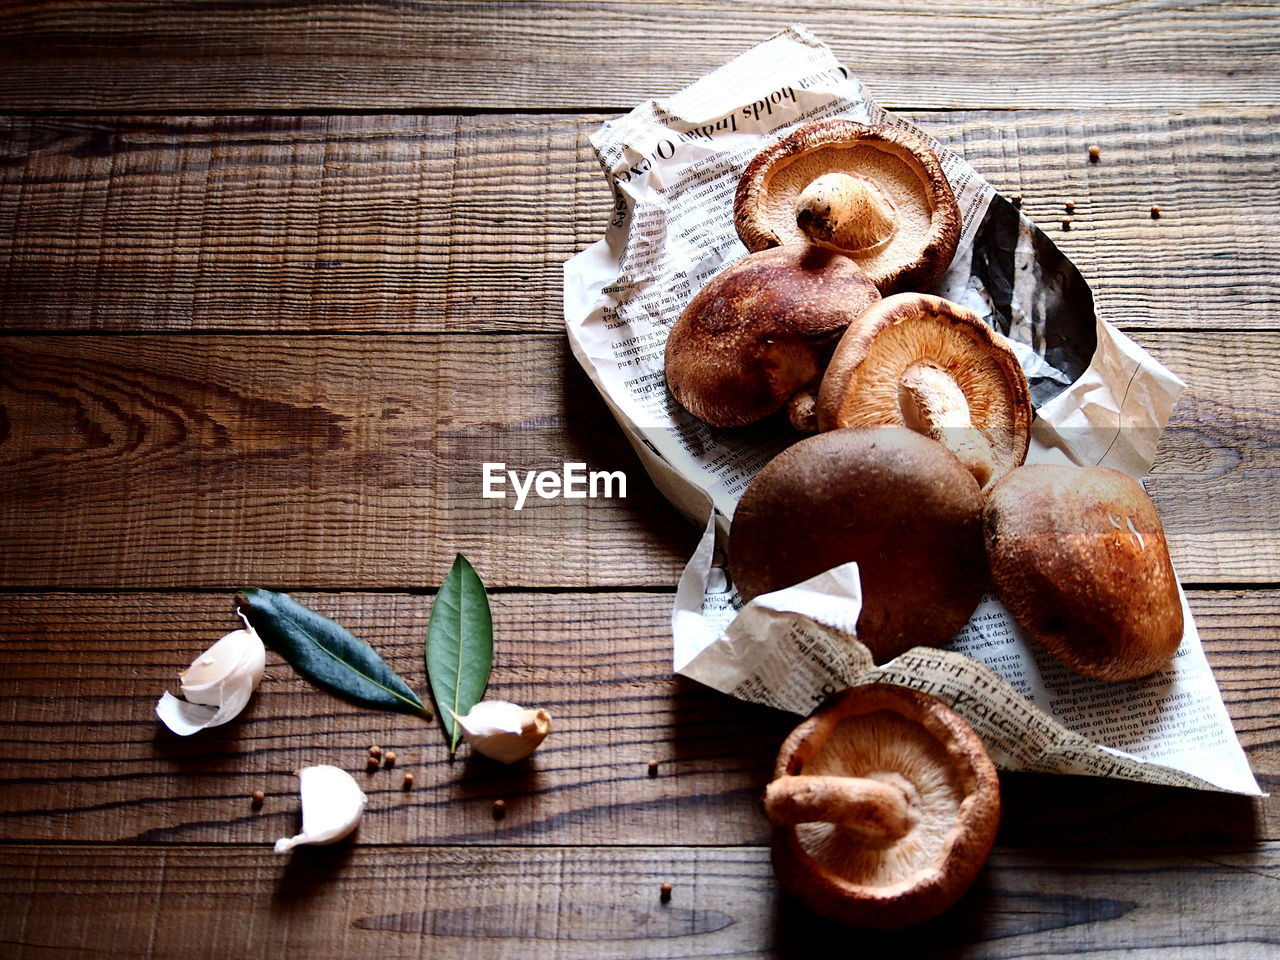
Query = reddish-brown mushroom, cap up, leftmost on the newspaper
x=762 y=331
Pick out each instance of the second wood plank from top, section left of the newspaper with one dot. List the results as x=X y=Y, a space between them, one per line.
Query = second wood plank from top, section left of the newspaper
x=332 y=223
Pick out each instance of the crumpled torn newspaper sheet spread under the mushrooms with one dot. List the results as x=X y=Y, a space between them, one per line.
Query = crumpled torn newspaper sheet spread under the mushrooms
x=674 y=166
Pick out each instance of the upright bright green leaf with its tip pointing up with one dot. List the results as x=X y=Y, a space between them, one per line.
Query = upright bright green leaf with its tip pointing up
x=459 y=646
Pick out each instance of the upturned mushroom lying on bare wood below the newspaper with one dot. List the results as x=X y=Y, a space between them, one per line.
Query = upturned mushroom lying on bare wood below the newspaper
x=926 y=817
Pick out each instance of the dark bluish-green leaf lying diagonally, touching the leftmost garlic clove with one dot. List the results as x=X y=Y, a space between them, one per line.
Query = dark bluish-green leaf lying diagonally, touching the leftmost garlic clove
x=327 y=653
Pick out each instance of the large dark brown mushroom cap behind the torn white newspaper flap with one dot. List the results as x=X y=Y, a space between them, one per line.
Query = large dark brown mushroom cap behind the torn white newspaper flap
x=897 y=502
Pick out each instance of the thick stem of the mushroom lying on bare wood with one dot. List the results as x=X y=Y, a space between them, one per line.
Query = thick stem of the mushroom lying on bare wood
x=875 y=811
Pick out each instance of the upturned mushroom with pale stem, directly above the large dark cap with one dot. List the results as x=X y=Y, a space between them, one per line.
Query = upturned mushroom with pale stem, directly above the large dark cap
x=926 y=363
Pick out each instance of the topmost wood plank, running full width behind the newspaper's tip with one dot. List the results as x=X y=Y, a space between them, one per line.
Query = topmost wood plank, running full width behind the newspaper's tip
x=122 y=54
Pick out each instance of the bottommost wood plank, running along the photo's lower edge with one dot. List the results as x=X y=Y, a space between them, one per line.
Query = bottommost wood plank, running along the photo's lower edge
x=591 y=902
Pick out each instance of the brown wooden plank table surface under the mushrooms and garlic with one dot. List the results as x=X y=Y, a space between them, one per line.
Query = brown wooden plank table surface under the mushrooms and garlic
x=276 y=280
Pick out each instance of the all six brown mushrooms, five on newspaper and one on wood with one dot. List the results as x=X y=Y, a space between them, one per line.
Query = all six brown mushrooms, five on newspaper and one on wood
x=885 y=803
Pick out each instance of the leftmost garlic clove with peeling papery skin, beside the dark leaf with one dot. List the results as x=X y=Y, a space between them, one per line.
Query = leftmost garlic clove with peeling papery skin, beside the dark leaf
x=217 y=685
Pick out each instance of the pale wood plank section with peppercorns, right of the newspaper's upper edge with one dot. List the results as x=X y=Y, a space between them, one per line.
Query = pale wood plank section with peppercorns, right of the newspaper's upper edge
x=1208 y=263
